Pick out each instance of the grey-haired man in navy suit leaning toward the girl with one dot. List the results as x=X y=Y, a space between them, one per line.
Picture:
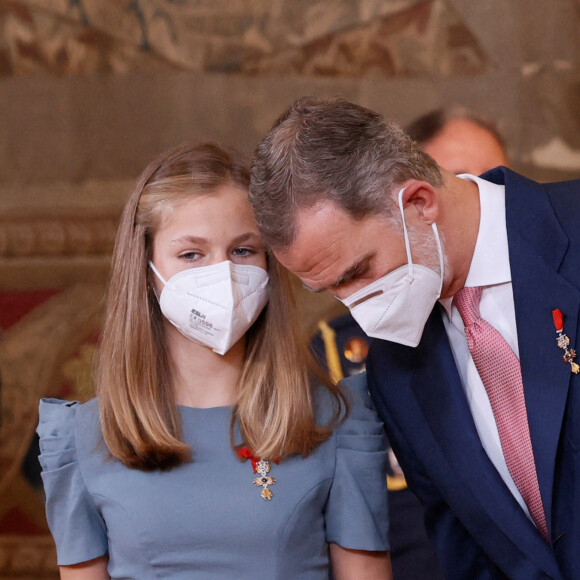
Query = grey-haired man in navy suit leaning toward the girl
x=350 y=204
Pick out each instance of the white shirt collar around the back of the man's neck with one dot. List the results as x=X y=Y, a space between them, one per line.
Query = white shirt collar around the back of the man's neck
x=490 y=263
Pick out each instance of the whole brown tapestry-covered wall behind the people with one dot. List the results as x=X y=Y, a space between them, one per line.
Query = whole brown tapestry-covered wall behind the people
x=90 y=90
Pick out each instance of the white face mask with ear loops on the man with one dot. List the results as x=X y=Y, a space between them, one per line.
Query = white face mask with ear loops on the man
x=396 y=307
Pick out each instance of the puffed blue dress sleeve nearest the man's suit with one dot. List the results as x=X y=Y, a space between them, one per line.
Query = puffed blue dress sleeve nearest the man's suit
x=357 y=512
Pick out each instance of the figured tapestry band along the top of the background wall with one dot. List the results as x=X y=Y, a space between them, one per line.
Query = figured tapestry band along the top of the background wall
x=320 y=38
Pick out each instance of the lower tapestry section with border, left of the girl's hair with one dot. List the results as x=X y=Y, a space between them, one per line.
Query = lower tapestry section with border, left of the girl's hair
x=49 y=336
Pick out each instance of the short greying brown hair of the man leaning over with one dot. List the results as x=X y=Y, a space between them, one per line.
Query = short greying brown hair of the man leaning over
x=331 y=150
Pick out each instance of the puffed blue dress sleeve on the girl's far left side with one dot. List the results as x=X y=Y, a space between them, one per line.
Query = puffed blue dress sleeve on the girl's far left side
x=77 y=527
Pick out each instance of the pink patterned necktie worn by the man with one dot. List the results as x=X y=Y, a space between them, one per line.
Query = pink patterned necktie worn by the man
x=500 y=372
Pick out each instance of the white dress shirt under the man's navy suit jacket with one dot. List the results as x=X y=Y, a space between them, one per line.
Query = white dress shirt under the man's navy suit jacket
x=490 y=268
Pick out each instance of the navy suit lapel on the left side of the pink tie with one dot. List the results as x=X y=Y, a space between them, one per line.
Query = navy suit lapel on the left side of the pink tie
x=478 y=493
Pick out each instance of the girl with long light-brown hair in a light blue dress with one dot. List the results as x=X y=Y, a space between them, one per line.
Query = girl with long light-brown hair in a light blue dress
x=208 y=453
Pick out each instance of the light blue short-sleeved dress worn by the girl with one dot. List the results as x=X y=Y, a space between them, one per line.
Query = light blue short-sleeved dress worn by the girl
x=206 y=519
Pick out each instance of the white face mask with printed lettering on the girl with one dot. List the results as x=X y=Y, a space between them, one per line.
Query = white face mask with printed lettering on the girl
x=214 y=305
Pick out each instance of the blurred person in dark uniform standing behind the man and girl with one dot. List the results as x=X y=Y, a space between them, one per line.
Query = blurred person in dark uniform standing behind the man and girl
x=460 y=142
